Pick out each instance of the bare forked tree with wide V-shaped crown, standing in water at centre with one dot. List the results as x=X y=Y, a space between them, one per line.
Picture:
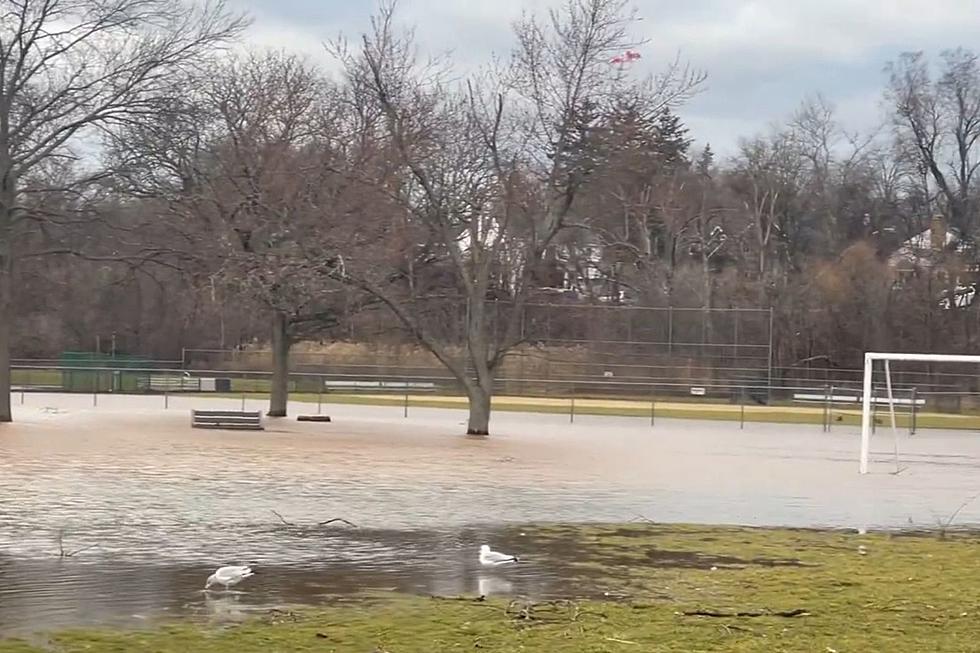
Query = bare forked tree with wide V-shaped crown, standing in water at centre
x=492 y=167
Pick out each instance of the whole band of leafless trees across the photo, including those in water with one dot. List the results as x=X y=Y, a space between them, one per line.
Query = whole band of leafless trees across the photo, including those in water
x=155 y=185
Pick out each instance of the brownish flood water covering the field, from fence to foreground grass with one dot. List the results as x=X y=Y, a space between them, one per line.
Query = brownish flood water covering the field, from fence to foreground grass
x=146 y=508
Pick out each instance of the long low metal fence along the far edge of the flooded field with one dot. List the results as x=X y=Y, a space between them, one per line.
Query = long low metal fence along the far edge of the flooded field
x=627 y=395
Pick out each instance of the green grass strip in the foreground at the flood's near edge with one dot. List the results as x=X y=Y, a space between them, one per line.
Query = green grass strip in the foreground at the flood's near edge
x=906 y=594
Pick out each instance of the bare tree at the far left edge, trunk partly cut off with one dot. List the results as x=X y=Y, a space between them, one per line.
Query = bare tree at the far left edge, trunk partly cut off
x=68 y=69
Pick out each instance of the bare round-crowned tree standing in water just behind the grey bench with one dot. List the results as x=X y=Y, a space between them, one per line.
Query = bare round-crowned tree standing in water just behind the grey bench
x=251 y=167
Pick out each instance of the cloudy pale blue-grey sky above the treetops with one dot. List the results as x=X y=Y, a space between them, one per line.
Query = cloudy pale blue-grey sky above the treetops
x=762 y=57
